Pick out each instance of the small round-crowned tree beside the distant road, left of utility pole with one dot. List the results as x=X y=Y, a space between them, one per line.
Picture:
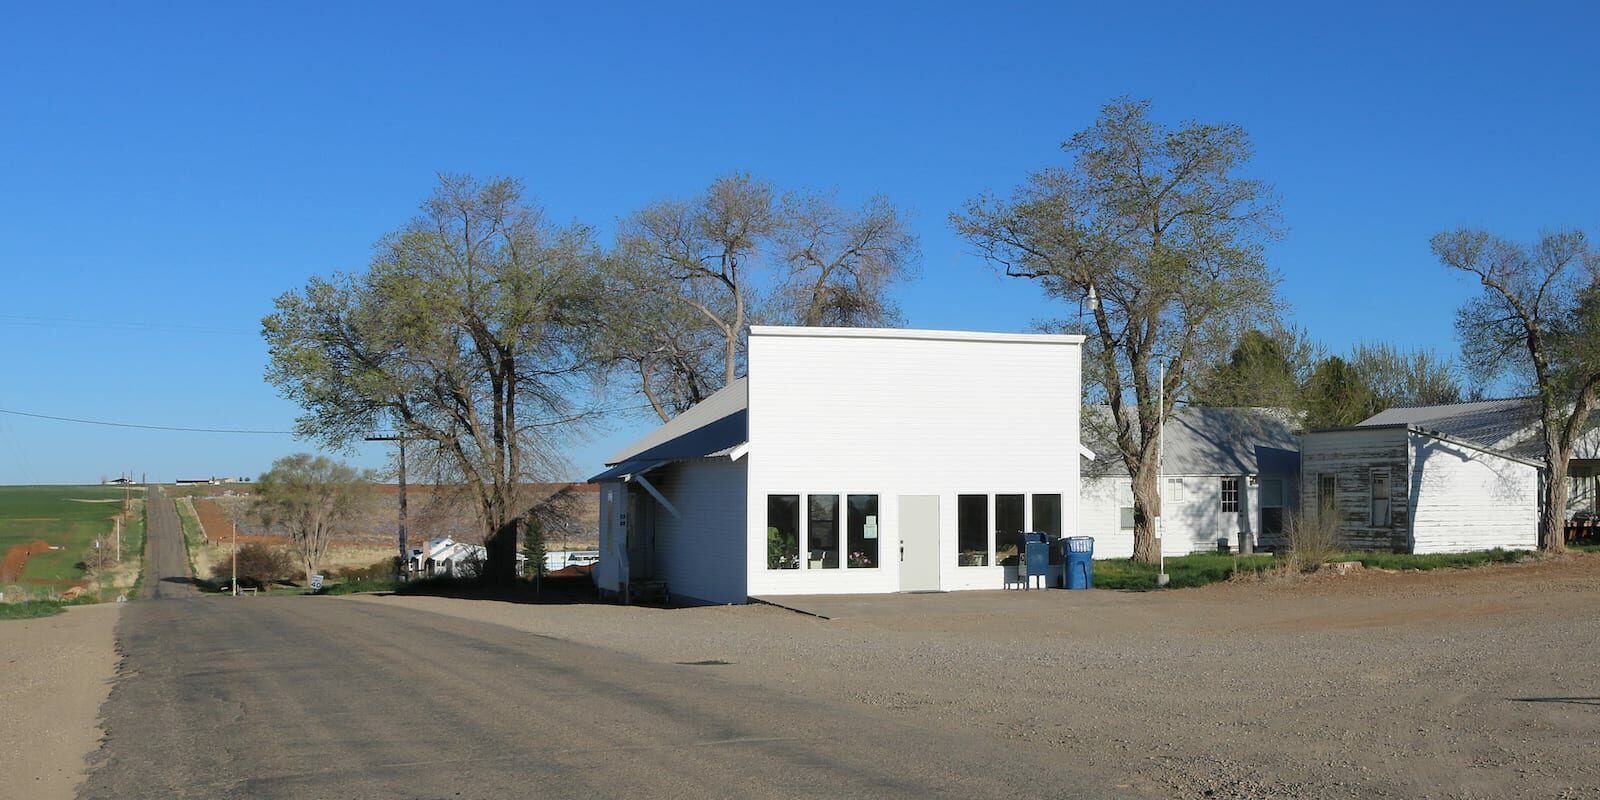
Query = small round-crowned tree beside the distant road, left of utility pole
x=311 y=498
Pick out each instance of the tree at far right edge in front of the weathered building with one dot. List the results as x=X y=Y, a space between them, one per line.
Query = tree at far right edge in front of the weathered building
x=1538 y=319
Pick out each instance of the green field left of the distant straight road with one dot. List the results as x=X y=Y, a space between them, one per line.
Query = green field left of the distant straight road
x=58 y=516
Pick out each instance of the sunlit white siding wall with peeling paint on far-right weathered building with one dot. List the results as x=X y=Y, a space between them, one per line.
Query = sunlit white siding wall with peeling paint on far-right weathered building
x=1466 y=500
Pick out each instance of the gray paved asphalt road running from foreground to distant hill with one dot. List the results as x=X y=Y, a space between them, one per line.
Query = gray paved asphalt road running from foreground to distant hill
x=334 y=698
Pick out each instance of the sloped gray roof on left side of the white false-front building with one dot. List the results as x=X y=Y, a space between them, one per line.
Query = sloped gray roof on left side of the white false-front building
x=714 y=426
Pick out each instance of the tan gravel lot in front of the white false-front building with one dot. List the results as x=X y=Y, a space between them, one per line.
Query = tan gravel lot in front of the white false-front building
x=1473 y=684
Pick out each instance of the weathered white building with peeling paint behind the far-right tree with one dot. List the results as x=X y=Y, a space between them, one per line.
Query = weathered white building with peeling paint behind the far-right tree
x=1442 y=479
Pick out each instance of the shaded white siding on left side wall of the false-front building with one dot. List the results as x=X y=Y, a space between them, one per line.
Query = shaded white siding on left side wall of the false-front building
x=702 y=553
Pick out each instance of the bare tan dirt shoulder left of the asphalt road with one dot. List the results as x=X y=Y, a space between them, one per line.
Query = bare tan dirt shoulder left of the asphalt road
x=55 y=674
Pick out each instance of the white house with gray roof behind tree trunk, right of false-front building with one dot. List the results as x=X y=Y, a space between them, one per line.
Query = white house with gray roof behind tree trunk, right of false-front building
x=1226 y=474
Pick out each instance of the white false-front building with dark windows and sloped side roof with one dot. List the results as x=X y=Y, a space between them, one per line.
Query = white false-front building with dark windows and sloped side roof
x=850 y=460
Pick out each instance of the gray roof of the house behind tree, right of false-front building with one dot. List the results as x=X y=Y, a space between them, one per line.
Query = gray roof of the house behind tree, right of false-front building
x=1210 y=441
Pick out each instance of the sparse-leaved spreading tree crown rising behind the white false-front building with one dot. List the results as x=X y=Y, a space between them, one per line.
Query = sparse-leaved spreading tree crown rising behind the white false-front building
x=690 y=276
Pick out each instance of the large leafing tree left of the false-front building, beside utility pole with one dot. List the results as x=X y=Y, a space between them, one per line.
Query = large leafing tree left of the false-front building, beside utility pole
x=468 y=330
